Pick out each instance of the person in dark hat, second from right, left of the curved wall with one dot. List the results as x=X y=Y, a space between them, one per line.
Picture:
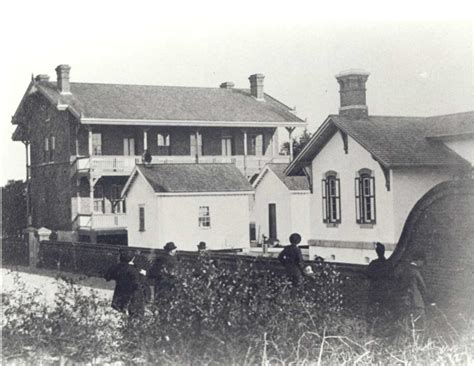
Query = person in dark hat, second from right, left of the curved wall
x=379 y=274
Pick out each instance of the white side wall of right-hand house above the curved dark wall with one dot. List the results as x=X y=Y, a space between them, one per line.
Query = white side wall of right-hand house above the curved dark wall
x=410 y=184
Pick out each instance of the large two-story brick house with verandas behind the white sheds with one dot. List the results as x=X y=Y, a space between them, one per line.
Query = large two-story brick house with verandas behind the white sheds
x=83 y=140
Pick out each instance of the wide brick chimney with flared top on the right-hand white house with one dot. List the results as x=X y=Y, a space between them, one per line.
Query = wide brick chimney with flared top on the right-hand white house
x=352 y=93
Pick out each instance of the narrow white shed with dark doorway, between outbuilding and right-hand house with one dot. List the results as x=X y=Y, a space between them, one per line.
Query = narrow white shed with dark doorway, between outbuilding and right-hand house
x=281 y=204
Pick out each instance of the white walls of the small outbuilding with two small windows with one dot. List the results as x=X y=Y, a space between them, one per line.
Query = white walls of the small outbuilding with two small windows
x=175 y=218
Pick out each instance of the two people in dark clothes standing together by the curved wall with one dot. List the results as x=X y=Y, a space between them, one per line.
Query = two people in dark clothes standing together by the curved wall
x=397 y=293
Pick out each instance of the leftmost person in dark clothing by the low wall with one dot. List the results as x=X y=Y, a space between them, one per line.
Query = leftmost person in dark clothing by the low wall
x=127 y=281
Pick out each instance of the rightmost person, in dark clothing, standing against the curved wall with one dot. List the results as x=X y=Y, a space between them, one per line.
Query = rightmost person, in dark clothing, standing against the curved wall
x=415 y=293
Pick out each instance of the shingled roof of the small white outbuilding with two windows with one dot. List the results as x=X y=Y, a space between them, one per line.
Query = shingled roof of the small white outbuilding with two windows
x=192 y=178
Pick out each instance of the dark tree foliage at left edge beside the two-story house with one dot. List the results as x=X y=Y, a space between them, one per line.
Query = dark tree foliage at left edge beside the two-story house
x=13 y=209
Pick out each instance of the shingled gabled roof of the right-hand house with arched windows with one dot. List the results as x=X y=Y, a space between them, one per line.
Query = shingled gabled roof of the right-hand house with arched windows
x=393 y=141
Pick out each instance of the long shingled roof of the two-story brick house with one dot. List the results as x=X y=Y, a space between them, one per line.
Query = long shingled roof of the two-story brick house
x=142 y=104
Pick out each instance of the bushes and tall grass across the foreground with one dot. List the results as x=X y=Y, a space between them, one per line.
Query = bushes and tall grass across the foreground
x=219 y=316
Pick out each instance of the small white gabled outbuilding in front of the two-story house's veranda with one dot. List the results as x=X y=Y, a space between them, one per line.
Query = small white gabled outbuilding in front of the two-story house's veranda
x=186 y=204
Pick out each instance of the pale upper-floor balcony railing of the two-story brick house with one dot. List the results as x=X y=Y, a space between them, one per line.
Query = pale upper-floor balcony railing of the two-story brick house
x=123 y=165
